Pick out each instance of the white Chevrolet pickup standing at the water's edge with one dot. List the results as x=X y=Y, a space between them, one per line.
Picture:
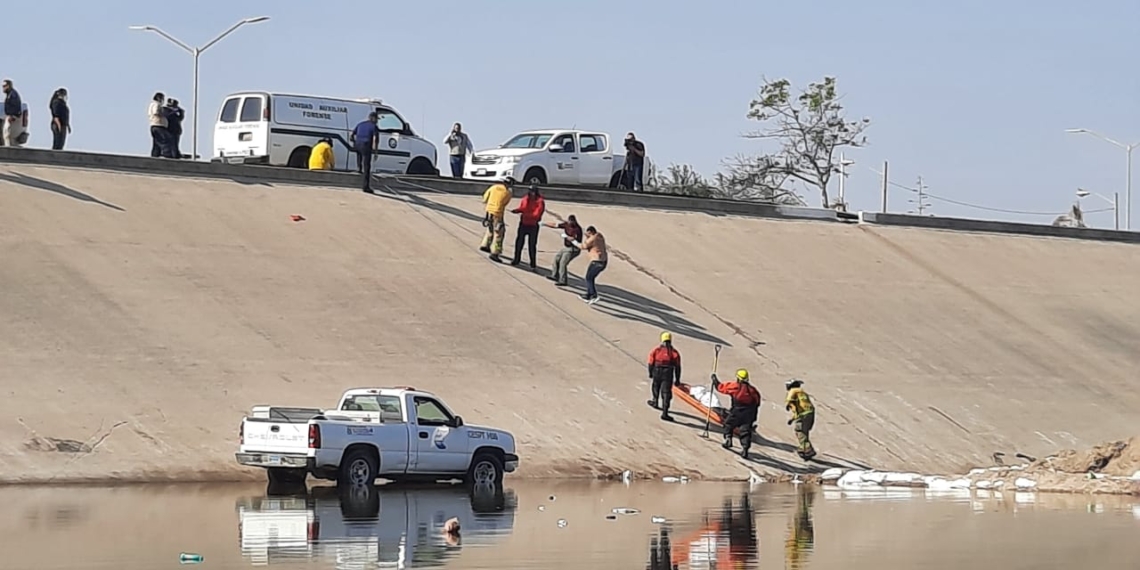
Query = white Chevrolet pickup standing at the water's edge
x=396 y=434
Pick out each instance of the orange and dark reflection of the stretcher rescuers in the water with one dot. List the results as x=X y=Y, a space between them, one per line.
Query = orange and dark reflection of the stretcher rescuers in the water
x=726 y=541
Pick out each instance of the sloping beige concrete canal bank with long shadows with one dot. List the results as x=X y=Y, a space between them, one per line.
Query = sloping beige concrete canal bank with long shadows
x=143 y=315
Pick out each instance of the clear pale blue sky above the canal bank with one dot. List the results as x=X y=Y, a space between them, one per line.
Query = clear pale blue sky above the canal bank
x=972 y=95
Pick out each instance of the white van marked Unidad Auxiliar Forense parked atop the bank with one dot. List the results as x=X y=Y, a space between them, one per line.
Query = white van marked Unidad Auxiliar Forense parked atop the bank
x=281 y=131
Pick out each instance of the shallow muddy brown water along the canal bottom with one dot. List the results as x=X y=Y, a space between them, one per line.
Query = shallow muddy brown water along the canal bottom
x=560 y=525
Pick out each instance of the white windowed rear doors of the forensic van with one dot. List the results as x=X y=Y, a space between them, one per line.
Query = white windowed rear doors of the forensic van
x=242 y=132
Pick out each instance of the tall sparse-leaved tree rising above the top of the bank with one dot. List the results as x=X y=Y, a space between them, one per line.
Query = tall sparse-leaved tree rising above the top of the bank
x=810 y=127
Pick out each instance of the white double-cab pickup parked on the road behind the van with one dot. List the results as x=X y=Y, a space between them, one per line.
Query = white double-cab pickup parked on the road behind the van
x=551 y=157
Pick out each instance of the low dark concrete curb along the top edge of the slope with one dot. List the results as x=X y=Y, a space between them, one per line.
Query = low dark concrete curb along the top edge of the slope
x=585 y=196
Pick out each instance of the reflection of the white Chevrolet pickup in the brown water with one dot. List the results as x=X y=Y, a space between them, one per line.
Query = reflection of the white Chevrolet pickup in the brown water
x=365 y=527
